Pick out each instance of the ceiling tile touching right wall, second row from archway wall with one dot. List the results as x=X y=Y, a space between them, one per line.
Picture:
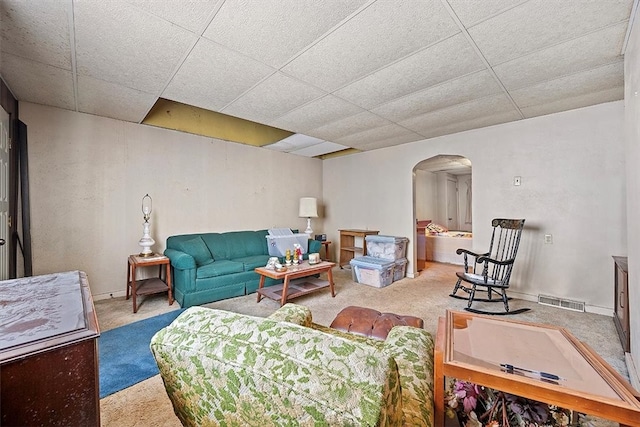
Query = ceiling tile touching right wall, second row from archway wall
x=595 y=80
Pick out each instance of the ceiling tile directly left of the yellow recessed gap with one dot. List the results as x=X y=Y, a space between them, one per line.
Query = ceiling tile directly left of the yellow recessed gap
x=110 y=100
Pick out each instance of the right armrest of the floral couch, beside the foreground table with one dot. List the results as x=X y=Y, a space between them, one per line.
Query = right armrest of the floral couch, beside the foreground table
x=412 y=348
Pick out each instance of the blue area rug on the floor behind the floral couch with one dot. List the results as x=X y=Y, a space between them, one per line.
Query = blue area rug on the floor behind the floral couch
x=125 y=358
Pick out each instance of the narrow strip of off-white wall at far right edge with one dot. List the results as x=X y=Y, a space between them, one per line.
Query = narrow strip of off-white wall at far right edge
x=632 y=134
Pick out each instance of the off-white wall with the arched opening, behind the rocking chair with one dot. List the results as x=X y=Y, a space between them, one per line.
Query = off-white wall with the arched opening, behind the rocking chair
x=572 y=166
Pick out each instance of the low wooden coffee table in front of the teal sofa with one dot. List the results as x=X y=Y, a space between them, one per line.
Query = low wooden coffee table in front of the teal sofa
x=292 y=288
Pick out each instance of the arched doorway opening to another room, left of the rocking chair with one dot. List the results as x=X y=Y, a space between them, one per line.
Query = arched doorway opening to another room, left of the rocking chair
x=442 y=196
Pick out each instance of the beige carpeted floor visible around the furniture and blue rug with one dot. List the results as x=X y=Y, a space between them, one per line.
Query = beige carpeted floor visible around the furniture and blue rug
x=146 y=403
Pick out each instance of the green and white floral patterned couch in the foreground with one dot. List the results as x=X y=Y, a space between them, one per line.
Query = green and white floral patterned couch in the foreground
x=224 y=368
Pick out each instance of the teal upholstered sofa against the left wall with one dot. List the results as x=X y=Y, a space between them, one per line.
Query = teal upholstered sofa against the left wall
x=208 y=267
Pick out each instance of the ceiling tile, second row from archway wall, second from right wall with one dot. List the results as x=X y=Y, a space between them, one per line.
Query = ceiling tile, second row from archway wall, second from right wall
x=475 y=109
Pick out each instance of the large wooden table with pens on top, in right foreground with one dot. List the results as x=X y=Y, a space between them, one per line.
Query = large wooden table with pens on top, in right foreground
x=472 y=347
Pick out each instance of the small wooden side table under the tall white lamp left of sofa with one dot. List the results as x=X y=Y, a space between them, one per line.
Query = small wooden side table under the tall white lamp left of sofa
x=152 y=285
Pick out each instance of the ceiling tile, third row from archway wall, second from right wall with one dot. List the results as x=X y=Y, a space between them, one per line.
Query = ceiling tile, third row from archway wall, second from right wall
x=458 y=91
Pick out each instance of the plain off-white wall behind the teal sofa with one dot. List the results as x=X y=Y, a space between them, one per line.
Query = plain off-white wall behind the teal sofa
x=88 y=175
